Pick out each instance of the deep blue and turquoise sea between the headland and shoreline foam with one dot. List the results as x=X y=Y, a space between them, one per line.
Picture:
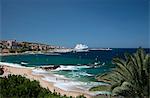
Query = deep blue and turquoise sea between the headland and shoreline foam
x=73 y=65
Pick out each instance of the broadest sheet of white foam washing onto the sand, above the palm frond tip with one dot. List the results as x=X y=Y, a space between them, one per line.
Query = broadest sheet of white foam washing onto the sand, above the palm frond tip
x=70 y=85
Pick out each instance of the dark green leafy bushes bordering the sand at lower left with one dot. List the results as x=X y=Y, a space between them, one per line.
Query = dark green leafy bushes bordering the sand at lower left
x=16 y=86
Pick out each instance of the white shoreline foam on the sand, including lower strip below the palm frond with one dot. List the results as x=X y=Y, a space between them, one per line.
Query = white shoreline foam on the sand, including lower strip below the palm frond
x=76 y=86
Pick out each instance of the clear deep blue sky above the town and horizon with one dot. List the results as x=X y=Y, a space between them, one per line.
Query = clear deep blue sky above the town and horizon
x=96 y=23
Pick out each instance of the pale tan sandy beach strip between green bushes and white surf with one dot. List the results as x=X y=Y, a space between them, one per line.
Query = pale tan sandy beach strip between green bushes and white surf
x=28 y=73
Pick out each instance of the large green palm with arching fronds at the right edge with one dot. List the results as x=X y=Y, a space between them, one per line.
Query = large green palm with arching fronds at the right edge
x=130 y=78
